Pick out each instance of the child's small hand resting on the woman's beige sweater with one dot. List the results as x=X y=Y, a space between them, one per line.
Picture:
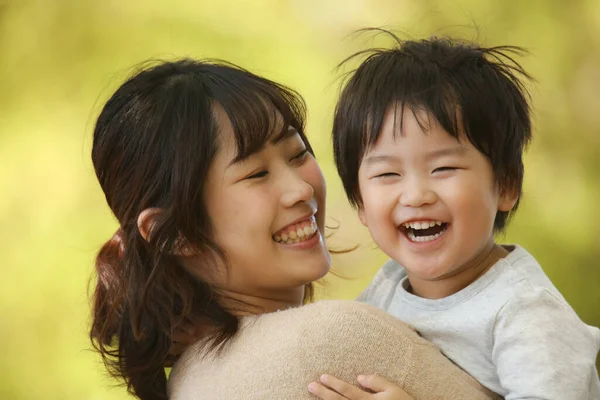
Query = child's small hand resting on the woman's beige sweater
x=331 y=388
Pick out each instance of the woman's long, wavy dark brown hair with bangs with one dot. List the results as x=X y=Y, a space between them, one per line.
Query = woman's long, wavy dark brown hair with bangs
x=154 y=142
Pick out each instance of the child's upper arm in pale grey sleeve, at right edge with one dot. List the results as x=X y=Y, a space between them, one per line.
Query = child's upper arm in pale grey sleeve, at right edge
x=542 y=350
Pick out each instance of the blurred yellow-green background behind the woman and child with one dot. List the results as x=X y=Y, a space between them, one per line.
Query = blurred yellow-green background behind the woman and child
x=61 y=59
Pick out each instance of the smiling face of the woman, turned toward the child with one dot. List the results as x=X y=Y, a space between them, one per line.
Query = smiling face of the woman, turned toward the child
x=268 y=215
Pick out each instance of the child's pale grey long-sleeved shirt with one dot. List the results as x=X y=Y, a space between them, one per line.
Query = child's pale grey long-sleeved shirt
x=510 y=329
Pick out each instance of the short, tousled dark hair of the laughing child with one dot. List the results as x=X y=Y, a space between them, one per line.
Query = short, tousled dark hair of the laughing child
x=465 y=87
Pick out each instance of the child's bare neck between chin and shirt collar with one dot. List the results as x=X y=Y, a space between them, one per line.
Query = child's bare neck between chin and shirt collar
x=469 y=273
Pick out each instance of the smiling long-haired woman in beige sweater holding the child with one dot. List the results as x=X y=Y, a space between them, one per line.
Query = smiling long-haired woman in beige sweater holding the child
x=221 y=206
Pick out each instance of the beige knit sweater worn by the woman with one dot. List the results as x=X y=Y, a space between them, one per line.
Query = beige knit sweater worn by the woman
x=276 y=356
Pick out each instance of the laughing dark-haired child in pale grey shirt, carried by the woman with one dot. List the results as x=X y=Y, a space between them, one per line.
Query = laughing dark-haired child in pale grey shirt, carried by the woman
x=428 y=141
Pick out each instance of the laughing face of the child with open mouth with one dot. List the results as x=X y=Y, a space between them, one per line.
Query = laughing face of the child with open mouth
x=428 y=200
